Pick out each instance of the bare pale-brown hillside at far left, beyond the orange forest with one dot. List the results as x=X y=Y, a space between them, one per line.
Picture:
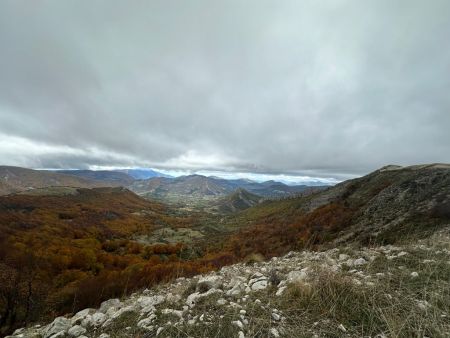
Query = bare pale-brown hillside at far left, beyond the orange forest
x=16 y=179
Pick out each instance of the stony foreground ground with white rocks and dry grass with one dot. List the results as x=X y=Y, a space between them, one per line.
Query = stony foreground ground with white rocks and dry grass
x=384 y=291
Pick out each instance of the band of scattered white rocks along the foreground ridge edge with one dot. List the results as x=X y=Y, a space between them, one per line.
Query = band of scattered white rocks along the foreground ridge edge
x=238 y=290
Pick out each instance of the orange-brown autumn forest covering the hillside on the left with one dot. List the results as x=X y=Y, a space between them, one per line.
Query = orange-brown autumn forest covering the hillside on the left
x=57 y=250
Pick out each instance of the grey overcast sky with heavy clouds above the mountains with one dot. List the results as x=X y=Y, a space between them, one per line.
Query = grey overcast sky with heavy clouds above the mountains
x=320 y=88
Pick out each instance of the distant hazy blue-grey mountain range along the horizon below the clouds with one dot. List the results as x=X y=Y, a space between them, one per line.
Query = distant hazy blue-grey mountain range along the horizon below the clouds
x=145 y=182
